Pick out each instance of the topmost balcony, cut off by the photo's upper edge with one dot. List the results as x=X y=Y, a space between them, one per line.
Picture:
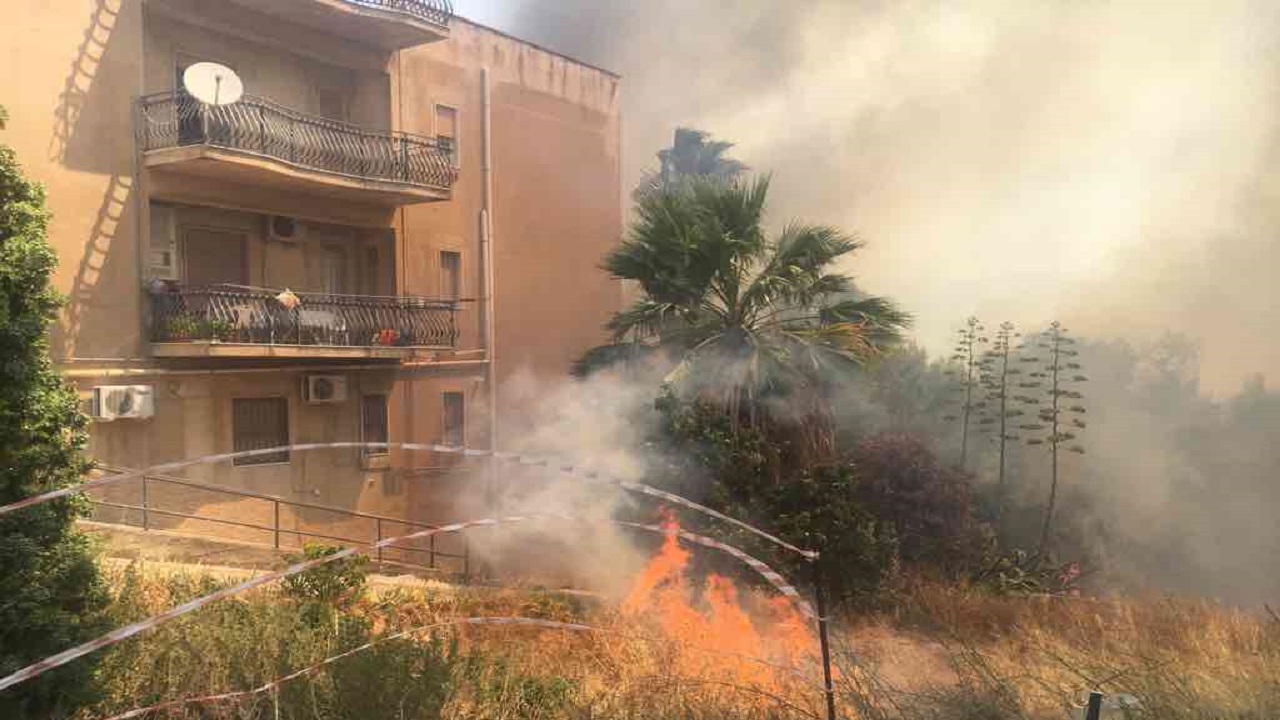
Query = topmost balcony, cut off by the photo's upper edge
x=390 y=25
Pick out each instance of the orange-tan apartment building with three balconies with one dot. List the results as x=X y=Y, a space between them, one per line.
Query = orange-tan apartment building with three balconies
x=403 y=211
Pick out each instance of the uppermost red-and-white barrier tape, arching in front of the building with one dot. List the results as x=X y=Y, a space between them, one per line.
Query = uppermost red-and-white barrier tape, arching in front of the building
x=584 y=473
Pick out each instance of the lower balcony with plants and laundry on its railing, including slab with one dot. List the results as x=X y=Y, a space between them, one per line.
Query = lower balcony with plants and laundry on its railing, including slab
x=246 y=322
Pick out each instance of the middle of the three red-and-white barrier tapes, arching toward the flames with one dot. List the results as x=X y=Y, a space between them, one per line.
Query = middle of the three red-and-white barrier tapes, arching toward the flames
x=143 y=626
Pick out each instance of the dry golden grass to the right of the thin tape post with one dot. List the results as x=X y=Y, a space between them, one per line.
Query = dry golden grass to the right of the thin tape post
x=1039 y=657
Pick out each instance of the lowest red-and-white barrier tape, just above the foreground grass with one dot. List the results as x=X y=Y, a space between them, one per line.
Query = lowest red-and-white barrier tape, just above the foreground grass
x=318 y=667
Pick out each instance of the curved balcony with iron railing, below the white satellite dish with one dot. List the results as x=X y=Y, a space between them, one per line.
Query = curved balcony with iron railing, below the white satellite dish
x=257 y=142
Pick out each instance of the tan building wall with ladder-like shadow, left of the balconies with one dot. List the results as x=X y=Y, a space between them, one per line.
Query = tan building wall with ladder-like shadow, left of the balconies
x=71 y=72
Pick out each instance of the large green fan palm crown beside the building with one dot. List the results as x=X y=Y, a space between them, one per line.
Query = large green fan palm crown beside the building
x=757 y=325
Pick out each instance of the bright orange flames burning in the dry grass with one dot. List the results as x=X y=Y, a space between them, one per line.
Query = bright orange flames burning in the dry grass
x=715 y=617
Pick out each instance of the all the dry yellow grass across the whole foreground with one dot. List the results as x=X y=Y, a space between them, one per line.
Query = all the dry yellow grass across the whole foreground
x=941 y=654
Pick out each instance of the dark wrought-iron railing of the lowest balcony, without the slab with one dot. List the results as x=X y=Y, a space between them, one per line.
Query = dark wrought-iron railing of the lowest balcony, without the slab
x=255 y=317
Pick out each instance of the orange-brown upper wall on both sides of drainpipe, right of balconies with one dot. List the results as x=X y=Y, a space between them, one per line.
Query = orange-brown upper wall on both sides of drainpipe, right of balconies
x=556 y=176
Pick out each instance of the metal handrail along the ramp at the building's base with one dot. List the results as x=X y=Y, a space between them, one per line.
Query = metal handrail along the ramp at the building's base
x=148 y=511
